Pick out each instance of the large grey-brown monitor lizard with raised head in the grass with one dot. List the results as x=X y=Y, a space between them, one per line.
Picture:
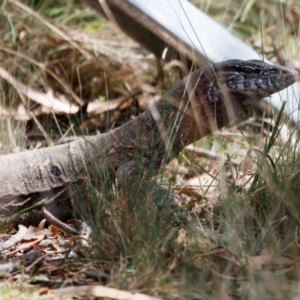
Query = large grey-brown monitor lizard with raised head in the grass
x=204 y=101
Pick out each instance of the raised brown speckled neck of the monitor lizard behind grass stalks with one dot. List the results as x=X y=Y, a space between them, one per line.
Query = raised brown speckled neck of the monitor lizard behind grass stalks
x=181 y=117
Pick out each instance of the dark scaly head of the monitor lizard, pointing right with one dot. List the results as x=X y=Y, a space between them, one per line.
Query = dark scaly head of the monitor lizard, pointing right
x=252 y=79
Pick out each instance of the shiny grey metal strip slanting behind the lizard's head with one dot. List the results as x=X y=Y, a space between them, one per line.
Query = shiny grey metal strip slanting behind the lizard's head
x=157 y=24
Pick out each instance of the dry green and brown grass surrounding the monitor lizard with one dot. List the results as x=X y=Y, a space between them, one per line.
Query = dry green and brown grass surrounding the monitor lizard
x=231 y=240
